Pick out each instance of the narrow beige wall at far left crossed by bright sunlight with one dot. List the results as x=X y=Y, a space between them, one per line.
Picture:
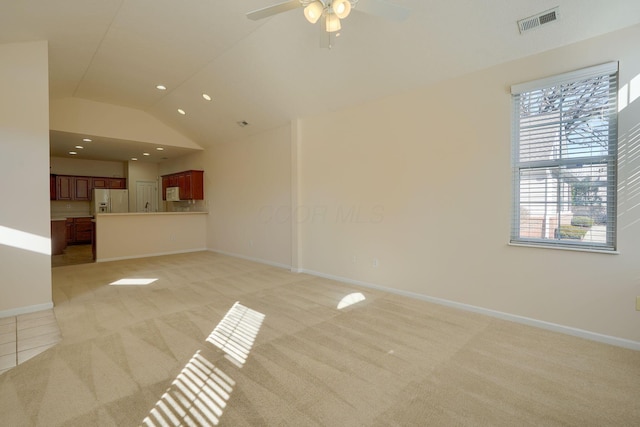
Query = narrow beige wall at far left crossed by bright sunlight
x=25 y=233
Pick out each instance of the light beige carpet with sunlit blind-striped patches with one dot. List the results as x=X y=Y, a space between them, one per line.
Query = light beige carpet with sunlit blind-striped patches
x=177 y=351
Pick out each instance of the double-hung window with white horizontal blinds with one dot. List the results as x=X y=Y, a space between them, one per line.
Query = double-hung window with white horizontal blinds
x=565 y=159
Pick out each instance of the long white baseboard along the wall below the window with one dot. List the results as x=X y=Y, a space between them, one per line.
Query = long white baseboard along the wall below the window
x=581 y=333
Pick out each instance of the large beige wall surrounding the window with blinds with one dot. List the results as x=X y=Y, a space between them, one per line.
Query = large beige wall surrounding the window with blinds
x=422 y=183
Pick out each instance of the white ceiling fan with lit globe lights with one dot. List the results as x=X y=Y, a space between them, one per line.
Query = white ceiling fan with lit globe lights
x=331 y=12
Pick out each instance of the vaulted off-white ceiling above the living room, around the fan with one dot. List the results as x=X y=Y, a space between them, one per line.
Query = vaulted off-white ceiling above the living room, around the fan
x=273 y=70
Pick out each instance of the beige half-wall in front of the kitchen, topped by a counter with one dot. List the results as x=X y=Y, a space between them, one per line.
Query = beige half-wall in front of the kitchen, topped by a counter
x=143 y=234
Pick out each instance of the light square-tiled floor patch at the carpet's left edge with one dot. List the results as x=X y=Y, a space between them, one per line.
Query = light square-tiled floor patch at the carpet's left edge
x=25 y=336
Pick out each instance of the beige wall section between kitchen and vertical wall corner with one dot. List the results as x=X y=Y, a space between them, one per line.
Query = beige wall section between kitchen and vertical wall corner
x=248 y=188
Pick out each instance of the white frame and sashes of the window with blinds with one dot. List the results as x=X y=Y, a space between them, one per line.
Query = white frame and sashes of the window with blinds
x=610 y=160
